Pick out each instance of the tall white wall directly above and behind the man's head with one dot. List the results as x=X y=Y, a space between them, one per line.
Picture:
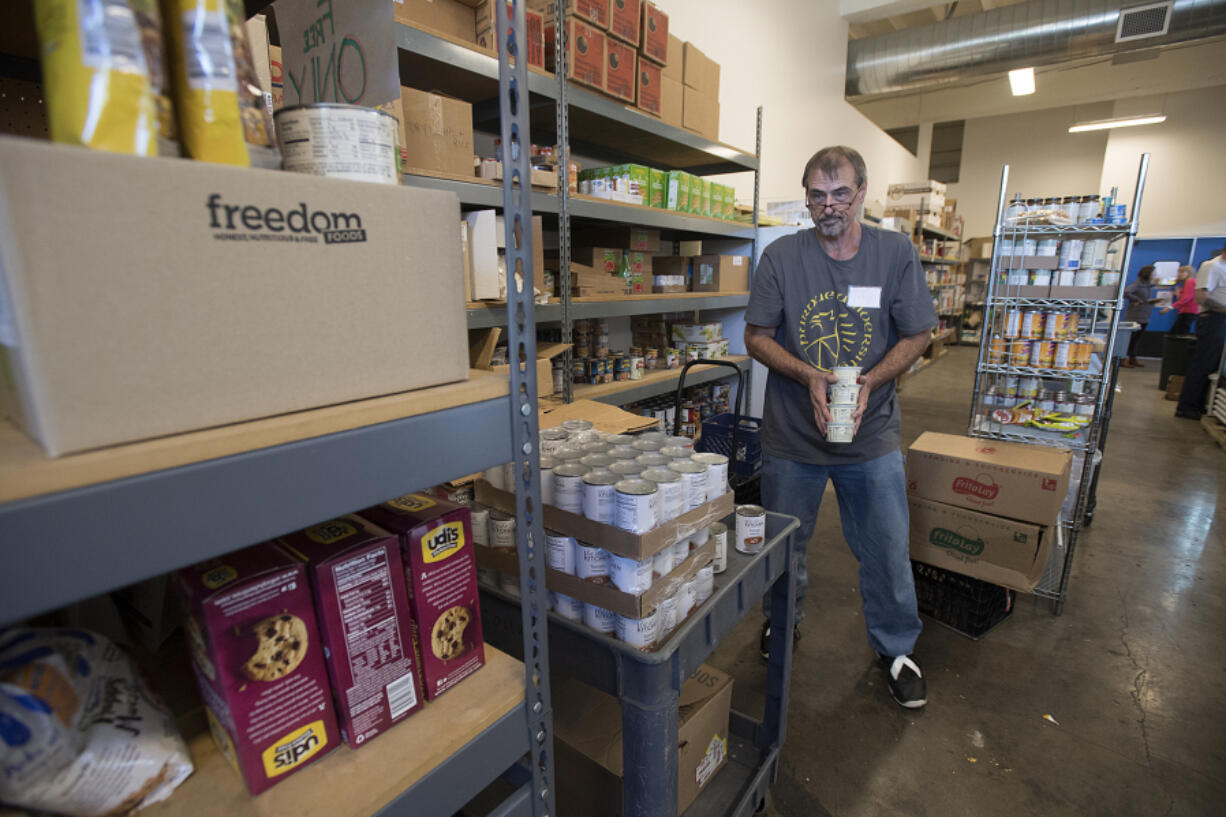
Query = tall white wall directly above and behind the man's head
x=791 y=59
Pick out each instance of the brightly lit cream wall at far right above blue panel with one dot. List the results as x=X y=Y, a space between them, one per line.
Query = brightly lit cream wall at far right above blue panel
x=1185 y=193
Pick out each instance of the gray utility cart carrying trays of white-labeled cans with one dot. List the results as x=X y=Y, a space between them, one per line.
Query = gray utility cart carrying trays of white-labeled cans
x=649 y=684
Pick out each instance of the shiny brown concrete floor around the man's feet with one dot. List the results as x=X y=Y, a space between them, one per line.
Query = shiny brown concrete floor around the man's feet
x=1133 y=675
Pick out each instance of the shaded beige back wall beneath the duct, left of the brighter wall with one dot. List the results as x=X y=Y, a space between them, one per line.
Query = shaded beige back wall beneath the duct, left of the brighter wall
x=1044 y=160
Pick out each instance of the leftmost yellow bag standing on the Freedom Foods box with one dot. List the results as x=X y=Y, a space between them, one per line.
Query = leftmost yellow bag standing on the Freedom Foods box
x=96 y=75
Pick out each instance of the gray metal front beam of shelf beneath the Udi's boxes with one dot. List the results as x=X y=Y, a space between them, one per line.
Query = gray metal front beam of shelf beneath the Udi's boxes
x=463 y=776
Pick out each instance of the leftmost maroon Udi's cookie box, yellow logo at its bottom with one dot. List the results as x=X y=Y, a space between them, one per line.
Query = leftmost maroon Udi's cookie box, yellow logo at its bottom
x=259 y=662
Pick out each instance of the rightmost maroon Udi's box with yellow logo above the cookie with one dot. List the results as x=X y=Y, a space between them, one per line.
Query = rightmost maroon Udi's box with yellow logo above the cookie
x=441 y=567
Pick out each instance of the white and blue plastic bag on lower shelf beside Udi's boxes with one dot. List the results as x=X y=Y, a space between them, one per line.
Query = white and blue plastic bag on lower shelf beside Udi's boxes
x=80 y=732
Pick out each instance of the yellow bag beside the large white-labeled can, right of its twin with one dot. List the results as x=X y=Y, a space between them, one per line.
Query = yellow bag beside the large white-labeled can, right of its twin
x=218 y=94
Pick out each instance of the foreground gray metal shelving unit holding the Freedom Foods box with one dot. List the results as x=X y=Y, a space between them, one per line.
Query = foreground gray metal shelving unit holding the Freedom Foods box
x=128 y=513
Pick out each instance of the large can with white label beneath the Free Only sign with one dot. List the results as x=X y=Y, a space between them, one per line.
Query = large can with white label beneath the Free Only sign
x=339 y=142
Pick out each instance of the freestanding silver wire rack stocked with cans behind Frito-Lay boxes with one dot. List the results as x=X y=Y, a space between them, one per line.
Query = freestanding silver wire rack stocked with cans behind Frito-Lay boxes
x=1098 y=316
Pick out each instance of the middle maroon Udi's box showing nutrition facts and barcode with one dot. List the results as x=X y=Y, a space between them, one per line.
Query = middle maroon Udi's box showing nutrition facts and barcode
x=357 y=580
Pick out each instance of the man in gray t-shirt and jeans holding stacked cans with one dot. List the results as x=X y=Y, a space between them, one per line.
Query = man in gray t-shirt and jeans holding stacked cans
x=844 y=295
